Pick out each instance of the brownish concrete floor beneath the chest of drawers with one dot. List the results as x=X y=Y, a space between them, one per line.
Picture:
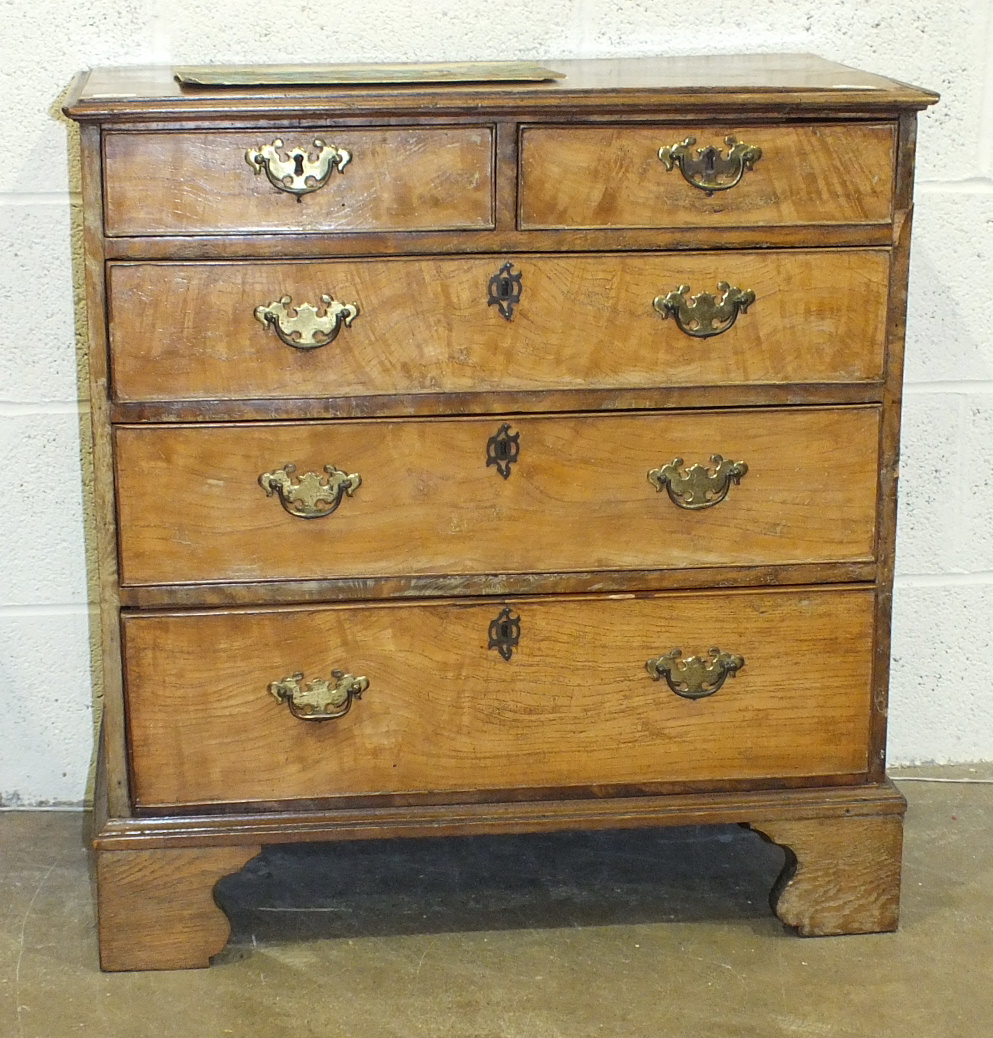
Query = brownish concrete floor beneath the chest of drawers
x=645 y=934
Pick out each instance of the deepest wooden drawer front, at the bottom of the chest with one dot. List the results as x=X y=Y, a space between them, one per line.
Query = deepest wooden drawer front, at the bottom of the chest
x=575 y=704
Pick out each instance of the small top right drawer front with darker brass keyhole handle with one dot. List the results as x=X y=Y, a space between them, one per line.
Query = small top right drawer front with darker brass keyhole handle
x=613 y=177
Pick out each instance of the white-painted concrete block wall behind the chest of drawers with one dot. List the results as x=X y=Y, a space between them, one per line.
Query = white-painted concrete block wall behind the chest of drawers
x=943 y=677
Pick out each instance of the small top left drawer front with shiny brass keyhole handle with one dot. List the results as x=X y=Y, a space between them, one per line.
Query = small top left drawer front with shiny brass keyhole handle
x=202 y=183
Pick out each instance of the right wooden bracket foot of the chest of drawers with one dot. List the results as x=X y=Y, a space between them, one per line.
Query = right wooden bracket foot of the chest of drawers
x=842 y=875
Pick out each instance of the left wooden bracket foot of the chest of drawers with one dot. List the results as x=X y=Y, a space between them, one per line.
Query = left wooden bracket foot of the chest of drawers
x=157 y=909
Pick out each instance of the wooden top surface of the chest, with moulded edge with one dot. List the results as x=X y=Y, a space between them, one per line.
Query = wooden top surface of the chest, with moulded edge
x=792 y=84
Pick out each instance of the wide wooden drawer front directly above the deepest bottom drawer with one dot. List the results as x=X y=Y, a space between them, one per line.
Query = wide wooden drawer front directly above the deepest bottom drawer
x=433 y=499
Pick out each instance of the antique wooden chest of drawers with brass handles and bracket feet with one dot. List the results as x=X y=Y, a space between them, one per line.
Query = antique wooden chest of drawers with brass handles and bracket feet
x=503 y=457
